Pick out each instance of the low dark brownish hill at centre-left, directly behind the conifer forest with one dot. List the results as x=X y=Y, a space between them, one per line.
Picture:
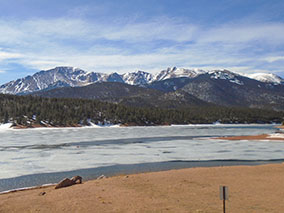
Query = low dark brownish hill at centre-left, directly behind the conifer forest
x=126 y=94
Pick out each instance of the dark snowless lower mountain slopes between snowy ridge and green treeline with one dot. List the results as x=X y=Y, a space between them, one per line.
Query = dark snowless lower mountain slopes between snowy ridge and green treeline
x=216 y=88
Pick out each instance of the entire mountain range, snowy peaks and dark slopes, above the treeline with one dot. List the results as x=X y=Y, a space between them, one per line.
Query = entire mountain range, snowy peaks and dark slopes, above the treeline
x=170 y=88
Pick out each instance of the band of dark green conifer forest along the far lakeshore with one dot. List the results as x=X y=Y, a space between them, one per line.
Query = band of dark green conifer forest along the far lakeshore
x=28 y=110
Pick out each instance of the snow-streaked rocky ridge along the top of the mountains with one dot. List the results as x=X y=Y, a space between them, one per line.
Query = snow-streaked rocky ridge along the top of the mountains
x=76 y=77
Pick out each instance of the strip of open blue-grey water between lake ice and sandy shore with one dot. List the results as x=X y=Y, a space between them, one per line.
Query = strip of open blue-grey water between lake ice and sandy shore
x=89 y=174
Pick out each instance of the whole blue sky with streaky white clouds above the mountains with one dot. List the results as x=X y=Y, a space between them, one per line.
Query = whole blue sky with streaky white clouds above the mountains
x=150 y=35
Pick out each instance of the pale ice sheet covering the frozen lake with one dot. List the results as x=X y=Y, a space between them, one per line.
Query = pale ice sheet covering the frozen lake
x=32 y=151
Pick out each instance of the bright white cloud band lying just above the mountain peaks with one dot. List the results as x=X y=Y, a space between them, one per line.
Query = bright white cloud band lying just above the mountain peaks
x=117 y=60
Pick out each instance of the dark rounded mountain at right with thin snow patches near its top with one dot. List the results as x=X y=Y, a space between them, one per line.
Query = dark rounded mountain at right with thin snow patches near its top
x=236 y=90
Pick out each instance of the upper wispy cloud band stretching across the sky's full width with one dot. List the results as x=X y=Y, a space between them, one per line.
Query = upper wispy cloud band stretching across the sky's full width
x=36 y=30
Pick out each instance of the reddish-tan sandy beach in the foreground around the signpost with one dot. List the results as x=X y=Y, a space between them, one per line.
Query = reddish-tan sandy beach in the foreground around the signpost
x=251 y=189
